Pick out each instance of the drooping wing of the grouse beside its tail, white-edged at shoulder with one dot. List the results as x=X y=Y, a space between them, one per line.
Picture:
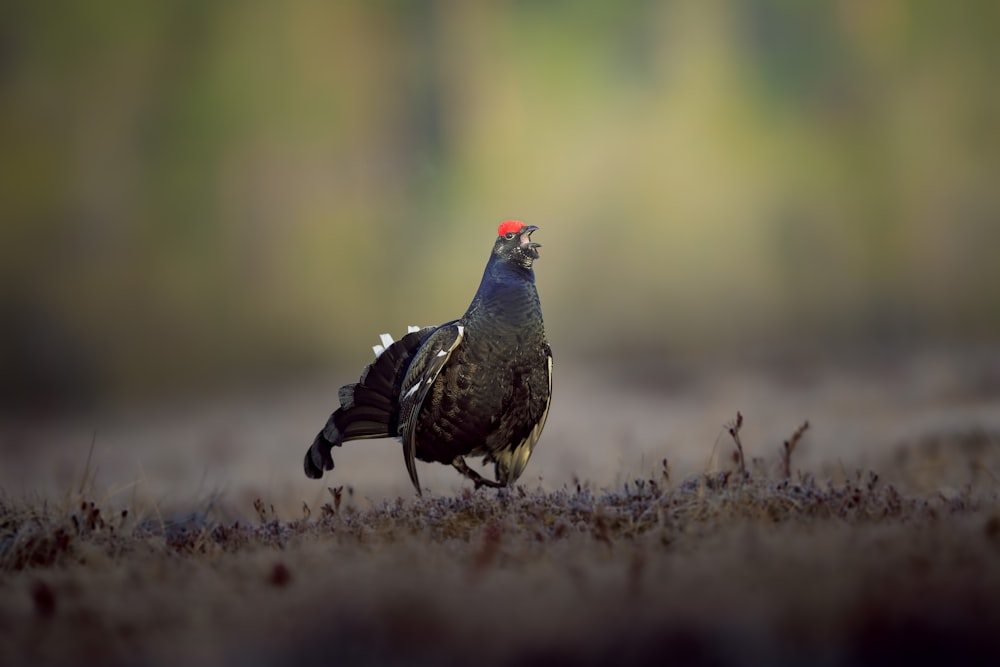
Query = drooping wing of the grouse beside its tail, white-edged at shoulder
x=423 y=370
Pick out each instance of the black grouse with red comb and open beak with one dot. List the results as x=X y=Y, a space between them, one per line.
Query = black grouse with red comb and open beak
x=478 y=386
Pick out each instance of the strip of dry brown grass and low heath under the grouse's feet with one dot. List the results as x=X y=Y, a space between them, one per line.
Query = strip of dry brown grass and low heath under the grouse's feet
x=732 y=567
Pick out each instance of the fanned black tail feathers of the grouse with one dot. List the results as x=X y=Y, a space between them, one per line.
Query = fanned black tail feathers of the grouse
x=368 y=409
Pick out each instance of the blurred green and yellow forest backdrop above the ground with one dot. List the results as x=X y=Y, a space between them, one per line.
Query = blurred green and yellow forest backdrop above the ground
x=198 y=193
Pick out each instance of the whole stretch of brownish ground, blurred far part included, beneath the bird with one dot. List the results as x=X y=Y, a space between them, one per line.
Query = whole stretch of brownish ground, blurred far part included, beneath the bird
x=189 y=535
